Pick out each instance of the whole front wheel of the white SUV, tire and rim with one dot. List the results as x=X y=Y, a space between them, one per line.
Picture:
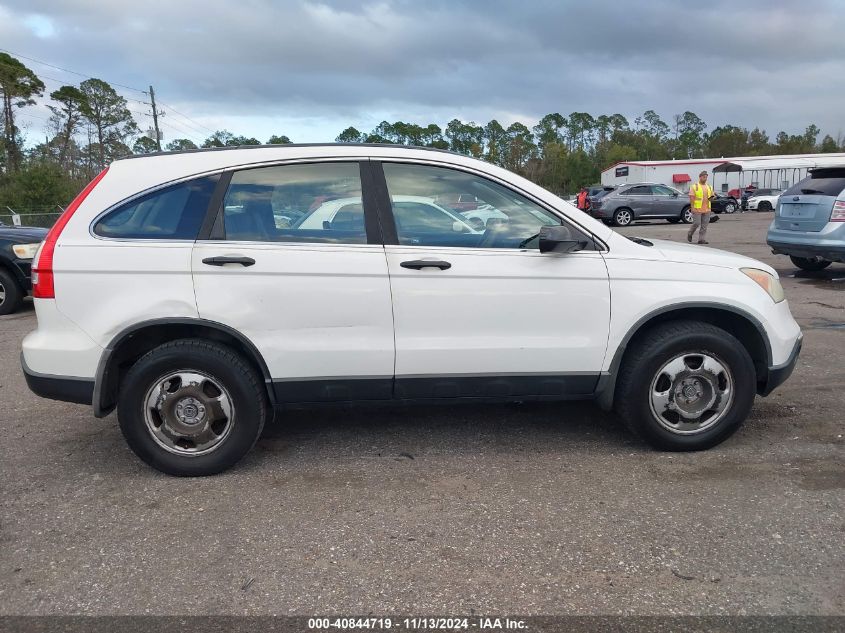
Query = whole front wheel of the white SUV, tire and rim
x=685 y=386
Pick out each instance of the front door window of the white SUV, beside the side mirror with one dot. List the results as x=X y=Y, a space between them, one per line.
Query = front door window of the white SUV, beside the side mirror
x=436 y=206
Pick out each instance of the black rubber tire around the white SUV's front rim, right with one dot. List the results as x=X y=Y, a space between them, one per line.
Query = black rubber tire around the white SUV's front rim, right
x=642 y=366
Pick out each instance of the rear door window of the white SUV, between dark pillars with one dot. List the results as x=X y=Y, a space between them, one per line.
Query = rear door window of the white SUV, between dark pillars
x=318 y=202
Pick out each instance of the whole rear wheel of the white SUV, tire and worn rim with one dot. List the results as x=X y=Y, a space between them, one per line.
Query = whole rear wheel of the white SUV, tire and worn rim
x=191 y=408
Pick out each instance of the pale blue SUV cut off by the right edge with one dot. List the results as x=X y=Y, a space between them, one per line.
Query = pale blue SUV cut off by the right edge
x=809 y=223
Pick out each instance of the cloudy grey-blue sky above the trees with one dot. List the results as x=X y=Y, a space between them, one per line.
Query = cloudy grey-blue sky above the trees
x=310 y=69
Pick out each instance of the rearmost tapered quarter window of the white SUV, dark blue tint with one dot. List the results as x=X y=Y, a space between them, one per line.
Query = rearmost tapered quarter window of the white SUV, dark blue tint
x=172 y=213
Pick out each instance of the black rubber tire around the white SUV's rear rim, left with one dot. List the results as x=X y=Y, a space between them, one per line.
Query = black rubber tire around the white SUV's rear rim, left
x=242 y=385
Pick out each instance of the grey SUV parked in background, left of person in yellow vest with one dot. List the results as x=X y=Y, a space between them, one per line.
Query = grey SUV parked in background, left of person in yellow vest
x=641 y=201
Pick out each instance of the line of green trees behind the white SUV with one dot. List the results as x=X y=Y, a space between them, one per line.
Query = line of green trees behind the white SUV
x=91 y=125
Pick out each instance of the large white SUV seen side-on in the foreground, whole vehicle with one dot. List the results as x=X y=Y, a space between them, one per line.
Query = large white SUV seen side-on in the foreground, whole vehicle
x=169 y=290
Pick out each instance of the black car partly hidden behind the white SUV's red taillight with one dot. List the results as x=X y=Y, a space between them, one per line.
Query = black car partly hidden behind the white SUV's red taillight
x=17 y=247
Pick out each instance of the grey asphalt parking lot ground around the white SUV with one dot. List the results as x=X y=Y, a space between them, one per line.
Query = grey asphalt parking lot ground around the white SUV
x=522 y=509
